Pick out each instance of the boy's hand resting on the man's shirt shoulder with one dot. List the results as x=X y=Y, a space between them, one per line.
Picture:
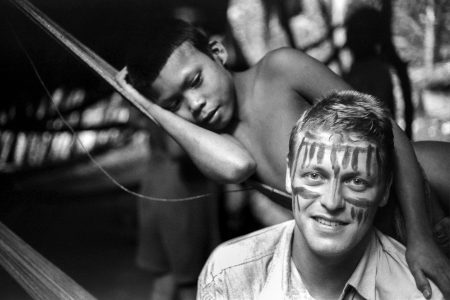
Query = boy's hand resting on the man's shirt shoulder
x=425 y=259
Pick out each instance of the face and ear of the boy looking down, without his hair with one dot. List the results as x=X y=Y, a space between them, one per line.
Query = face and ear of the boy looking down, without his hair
x=196 y=87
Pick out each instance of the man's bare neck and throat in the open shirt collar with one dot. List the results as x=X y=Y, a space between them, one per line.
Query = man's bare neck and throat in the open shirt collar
x=324 y=277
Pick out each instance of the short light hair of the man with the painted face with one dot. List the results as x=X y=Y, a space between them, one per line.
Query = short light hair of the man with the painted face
x=350 y=112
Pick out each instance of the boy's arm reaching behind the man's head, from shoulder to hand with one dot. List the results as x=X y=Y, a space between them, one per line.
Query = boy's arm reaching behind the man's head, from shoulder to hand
x=312 y=80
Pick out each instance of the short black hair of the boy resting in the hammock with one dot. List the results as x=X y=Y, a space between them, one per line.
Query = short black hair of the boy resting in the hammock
x=150 y=48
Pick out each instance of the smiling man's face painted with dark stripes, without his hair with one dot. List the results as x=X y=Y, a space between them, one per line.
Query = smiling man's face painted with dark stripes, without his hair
x=336 y=188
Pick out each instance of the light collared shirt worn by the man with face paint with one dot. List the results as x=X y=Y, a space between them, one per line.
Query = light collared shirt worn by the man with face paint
x=259 y=266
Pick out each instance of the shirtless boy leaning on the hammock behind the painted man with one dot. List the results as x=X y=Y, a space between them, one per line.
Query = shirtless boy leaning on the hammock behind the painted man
x=234 y=125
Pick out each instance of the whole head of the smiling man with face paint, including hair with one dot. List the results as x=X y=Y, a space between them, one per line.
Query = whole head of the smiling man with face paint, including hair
x=340 y=170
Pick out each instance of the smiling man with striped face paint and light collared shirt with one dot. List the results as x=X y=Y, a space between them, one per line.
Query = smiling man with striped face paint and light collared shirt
x=339 y=172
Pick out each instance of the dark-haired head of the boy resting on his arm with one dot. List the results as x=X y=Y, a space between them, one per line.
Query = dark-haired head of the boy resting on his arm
x=180 y=69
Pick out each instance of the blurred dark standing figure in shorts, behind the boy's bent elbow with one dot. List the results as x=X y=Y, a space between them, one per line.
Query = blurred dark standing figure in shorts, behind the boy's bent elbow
x=174 y=238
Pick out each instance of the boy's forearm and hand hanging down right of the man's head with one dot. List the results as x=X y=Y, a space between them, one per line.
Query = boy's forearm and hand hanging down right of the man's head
x=422 y=254
